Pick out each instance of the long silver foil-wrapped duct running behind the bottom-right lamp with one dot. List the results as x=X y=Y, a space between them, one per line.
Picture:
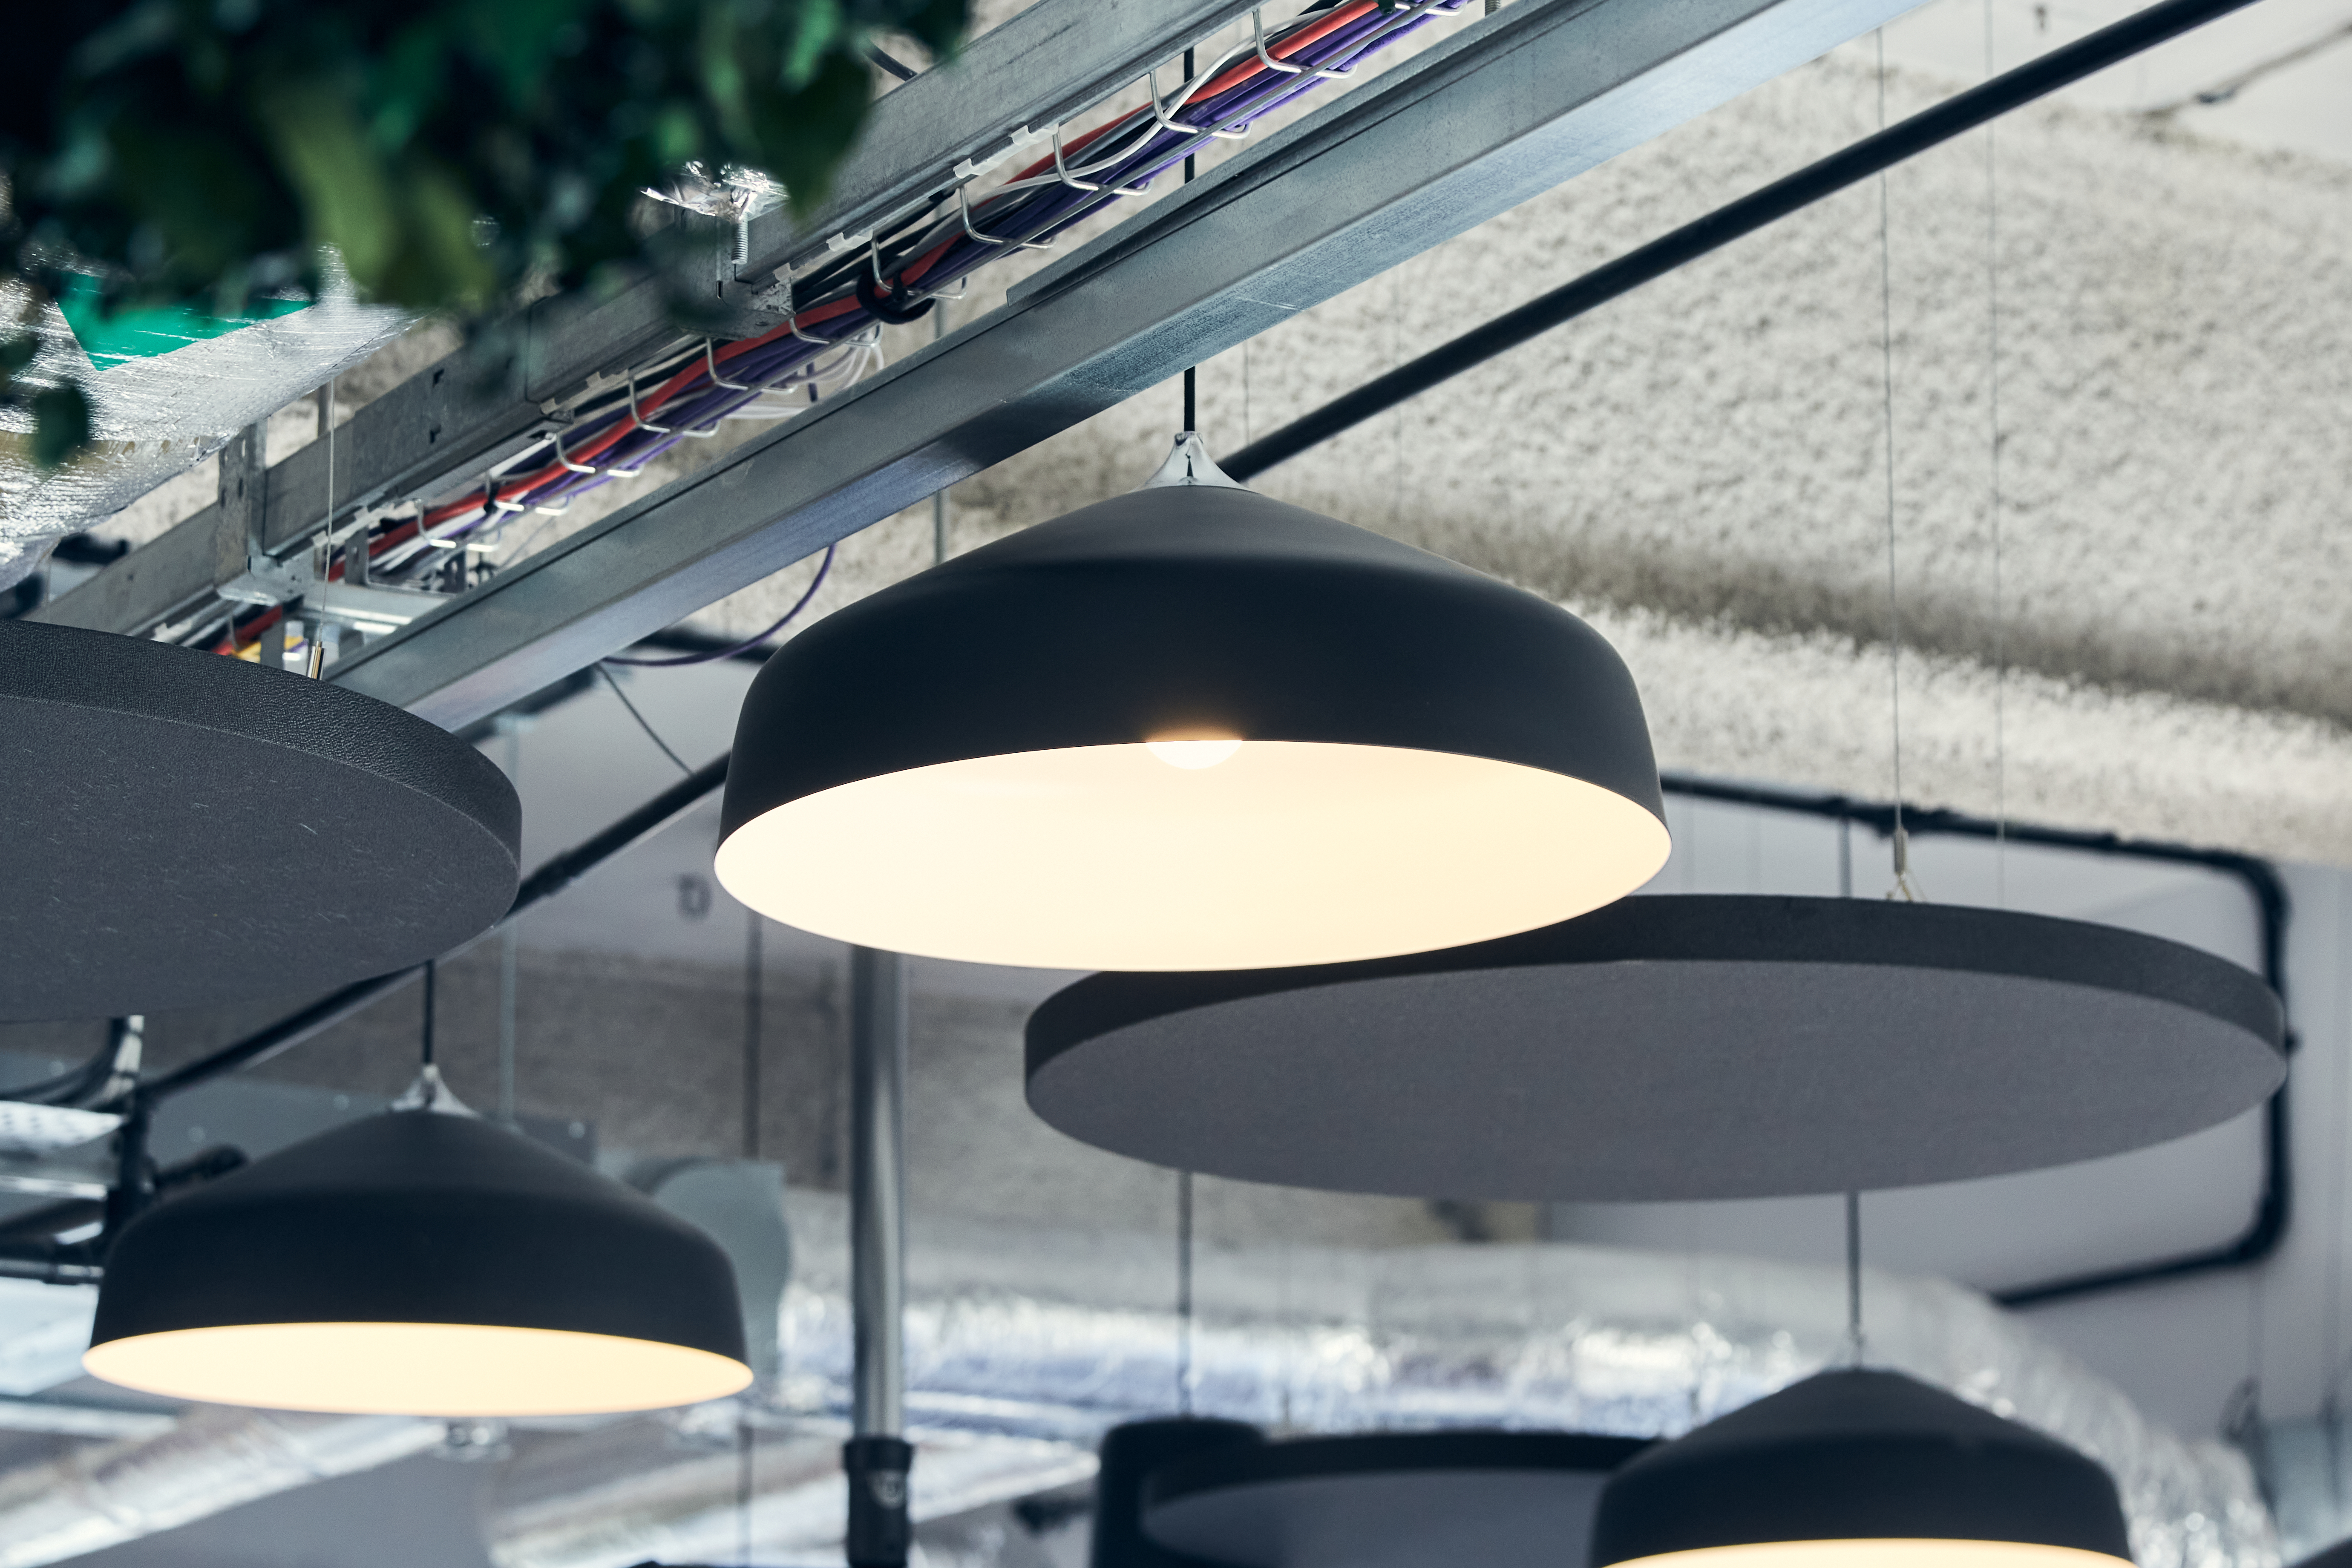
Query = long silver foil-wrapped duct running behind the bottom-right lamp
x=1057 y=1336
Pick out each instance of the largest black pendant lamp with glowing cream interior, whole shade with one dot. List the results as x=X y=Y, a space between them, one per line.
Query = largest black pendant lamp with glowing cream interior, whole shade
x=1191 y=728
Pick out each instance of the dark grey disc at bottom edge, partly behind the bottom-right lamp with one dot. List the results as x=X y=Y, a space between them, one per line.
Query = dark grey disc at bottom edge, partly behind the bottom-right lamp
x=1389 y=1501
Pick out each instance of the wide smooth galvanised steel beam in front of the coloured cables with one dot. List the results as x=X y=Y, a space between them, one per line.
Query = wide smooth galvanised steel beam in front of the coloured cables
x=1497 y=114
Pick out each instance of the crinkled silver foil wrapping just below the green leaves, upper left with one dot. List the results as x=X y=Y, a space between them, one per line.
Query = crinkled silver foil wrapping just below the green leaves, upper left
x=163 y=415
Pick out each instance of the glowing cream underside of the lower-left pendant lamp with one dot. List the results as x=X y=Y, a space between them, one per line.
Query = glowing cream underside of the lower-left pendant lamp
x=415 y=1369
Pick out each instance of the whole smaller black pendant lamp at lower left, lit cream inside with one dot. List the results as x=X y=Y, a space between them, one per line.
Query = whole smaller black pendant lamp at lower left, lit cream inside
x=420 y=1264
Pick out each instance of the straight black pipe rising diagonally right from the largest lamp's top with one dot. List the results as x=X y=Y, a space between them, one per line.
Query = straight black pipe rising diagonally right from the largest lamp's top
x=1725 y=225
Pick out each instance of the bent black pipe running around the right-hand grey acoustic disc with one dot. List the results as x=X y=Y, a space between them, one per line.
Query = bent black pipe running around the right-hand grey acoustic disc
x=2273 y=1209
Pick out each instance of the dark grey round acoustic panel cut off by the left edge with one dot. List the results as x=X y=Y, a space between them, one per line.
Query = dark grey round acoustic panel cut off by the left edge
x=185 y=829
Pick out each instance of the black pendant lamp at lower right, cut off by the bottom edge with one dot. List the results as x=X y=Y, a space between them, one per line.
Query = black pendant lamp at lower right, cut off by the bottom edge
x=1869 y=1468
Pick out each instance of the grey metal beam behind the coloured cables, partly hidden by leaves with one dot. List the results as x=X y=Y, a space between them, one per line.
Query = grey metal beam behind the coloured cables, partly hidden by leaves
x=474 y=410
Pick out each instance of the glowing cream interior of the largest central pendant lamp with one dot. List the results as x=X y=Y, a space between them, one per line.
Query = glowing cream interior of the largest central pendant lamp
x=1128 y=857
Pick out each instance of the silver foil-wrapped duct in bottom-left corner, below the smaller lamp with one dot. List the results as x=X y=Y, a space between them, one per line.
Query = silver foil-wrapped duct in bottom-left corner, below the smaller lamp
x=213 y=1461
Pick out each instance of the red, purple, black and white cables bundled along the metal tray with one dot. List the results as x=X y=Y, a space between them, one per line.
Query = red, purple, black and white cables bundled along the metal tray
x=834 y=314
